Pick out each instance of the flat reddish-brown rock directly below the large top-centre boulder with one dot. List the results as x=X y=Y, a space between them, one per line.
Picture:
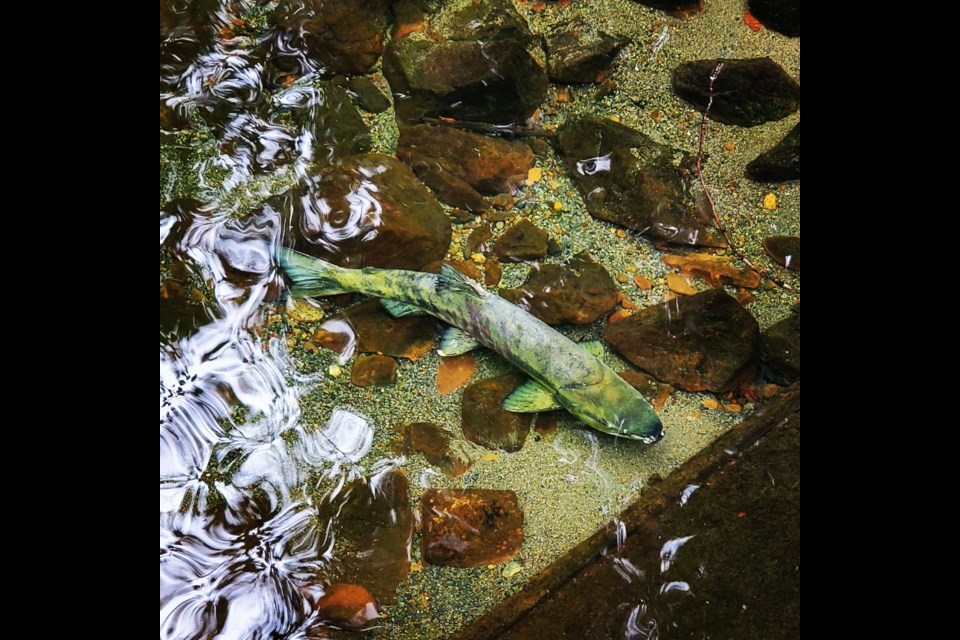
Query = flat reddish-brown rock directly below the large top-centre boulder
x=460 y=166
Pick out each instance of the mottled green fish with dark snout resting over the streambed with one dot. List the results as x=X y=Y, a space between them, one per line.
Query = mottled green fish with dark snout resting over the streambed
x=564 y=373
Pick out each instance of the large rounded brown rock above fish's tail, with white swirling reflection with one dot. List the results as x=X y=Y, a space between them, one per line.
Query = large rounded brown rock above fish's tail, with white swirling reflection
x=370 y=210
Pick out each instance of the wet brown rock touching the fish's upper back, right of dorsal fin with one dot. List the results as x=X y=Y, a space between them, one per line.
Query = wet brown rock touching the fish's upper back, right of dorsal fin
x=579 y=292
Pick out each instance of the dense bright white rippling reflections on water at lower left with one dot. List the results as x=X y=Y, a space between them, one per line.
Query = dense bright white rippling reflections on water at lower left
x=239 y=552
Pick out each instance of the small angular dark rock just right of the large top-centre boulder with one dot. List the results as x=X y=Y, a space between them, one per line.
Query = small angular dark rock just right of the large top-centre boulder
x=579 y=52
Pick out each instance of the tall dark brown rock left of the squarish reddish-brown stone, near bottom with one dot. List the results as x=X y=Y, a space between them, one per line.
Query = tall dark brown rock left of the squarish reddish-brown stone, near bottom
x=374 y=531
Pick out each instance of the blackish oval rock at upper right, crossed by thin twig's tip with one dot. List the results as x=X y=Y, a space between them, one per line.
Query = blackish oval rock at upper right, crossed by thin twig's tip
x=746 y=93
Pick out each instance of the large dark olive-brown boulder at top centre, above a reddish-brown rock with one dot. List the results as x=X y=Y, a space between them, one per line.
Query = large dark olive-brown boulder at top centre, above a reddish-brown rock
x=467 y=61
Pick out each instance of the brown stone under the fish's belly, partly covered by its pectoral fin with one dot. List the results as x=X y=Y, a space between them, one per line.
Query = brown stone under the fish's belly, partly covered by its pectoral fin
x=485 y=422
